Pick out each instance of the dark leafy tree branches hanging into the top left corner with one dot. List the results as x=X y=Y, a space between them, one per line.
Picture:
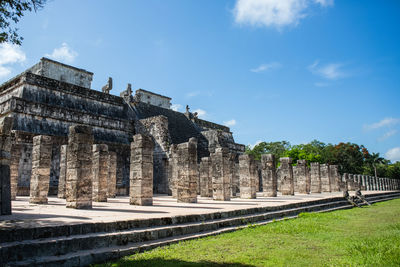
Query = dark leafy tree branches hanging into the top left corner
x=11 y=11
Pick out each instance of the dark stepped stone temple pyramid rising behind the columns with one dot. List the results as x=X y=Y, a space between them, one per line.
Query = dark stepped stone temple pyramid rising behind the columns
x=50 y=97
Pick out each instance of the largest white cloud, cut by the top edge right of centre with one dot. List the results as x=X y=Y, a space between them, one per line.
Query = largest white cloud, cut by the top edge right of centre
x=273 y=13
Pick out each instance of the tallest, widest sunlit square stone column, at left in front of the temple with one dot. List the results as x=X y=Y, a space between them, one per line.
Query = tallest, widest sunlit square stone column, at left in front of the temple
x=79 y=167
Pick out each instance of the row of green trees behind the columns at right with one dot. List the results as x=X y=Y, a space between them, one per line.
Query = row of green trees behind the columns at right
x=350 y=157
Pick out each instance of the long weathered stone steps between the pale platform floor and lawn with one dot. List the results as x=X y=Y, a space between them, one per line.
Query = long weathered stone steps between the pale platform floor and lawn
x=73 y=250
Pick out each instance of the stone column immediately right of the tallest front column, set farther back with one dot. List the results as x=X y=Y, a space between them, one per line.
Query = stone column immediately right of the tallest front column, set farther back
x=100 y=168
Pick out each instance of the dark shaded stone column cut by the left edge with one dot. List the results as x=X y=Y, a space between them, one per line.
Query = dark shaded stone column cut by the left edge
x=5 y=148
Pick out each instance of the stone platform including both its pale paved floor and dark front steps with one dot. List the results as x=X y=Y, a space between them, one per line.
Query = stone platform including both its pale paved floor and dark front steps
x=53 y=235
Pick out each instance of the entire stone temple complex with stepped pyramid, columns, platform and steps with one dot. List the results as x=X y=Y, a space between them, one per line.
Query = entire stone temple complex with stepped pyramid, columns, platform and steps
x=177 y=177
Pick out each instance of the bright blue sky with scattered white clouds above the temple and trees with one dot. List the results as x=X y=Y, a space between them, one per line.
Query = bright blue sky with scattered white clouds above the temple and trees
x=272 y=70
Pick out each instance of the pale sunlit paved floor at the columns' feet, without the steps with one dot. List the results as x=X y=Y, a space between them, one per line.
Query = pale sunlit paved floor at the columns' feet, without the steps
x=26 y=215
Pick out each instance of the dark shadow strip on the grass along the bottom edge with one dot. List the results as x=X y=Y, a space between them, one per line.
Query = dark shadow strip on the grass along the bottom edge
x=169 y=263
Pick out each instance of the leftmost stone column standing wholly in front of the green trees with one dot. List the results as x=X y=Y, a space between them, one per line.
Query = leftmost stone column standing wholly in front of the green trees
x=270 y=183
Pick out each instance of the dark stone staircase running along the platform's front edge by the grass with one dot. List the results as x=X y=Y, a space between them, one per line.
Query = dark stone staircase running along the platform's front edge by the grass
x=84 y=244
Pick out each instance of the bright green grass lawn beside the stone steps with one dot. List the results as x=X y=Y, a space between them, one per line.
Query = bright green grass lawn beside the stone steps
x=368 y=236
